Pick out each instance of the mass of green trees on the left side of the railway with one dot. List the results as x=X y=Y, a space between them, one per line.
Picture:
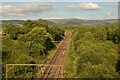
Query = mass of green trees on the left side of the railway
x=28 y=43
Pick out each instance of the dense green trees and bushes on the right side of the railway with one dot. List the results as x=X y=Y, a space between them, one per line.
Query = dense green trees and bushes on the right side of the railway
x=93 y=52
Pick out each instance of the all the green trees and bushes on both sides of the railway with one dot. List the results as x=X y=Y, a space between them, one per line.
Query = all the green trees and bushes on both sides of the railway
x=93 y=51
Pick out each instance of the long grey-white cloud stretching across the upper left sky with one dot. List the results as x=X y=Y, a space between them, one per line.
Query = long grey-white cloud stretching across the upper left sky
x=25 y=8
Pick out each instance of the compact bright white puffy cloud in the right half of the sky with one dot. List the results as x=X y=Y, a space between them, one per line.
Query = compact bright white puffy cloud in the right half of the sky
x=84 y=6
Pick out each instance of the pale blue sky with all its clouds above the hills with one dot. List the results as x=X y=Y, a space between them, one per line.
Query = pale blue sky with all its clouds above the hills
x=59 y=10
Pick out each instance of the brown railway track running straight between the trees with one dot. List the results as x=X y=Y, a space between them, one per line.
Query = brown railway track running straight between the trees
x=58 y=59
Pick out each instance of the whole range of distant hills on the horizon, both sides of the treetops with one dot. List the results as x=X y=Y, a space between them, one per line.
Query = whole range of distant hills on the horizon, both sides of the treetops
x=70 y=21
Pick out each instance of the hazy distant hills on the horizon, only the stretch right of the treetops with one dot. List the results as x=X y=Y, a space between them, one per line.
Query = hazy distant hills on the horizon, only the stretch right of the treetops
x=82 y=22
